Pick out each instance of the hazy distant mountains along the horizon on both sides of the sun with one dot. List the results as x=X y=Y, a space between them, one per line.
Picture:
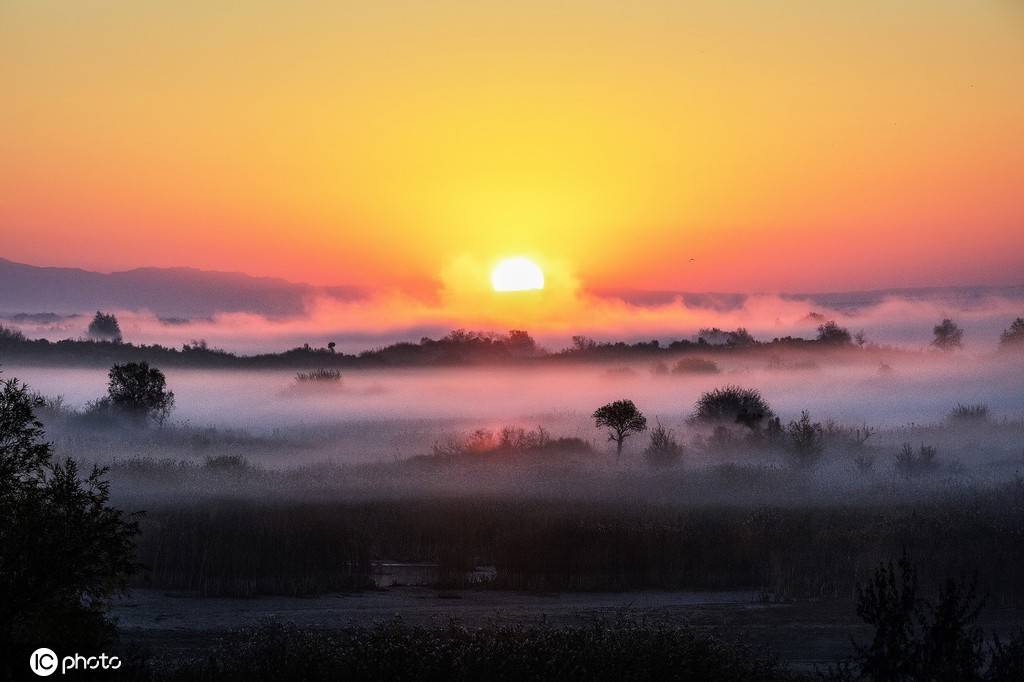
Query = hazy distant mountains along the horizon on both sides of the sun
x=190 y=293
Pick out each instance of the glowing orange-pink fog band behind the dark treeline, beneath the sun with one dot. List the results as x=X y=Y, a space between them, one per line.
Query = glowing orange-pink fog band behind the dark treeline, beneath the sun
x=904 y=319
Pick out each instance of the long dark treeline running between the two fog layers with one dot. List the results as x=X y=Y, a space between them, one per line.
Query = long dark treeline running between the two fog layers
x=459 y=348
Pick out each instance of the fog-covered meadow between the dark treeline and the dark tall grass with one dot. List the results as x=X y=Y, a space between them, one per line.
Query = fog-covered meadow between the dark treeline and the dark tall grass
x=408 y=433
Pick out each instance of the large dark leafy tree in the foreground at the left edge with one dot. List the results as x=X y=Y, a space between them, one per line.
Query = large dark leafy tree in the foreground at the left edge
x=65 y=552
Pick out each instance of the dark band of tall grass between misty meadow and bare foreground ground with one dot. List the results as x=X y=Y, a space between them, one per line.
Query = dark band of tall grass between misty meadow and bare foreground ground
x=295 y=548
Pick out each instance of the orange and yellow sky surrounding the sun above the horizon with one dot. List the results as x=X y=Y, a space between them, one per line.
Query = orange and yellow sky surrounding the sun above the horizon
x=804 y=146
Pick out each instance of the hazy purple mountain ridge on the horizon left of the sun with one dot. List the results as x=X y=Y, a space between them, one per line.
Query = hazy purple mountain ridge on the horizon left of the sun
x=183 y=292
